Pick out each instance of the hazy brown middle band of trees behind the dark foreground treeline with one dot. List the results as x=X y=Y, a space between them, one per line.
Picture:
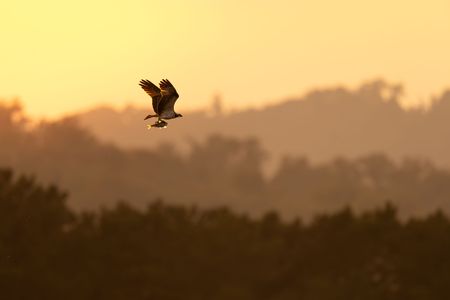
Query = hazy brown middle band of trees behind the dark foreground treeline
x=218 y=171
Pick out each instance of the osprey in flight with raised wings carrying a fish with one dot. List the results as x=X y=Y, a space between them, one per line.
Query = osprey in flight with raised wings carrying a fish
x=163 y=101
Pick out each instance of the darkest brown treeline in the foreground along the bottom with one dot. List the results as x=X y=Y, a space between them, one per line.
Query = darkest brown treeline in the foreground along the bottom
x=48 y=251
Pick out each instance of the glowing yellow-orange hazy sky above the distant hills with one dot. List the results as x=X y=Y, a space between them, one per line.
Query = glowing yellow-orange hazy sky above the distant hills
x=60 y=56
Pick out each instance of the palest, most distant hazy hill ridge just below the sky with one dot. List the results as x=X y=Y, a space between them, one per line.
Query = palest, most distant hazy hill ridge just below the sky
x=321 y=125
